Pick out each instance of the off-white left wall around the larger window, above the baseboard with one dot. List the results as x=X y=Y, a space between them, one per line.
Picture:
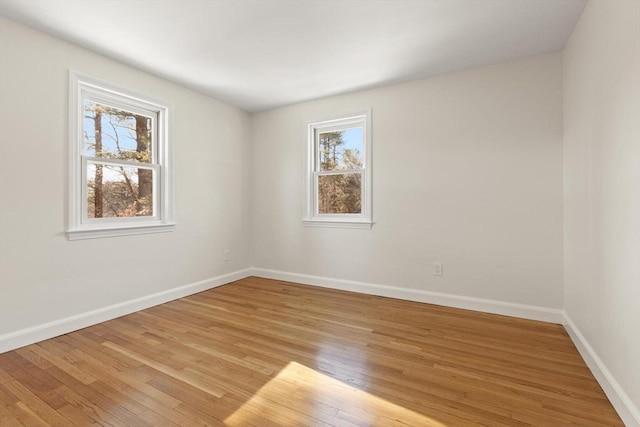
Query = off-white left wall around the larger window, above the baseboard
x=43 y=276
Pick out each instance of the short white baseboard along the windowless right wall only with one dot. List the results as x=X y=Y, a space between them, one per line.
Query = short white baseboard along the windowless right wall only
x=627 y=410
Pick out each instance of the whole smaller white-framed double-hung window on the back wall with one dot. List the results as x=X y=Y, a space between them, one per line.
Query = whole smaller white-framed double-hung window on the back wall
x=339 y=172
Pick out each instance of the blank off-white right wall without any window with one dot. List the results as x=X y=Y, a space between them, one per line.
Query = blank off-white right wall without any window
x=602 y=187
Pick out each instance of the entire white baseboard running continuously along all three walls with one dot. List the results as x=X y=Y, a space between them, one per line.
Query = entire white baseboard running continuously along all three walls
x=627 y=410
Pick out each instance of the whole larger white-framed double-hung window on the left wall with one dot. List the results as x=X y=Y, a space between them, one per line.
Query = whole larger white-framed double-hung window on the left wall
x=120 y=176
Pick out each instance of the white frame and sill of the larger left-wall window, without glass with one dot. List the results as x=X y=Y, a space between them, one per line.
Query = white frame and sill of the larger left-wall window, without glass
x=163 y=219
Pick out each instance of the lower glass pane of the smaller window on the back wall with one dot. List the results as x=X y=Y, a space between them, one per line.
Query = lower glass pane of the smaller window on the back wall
x=339 y=194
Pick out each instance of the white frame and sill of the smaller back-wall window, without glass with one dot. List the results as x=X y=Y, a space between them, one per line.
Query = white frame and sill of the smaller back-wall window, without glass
x=312 y=217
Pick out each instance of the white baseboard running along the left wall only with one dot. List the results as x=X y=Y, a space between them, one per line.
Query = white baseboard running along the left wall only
x=22 y=337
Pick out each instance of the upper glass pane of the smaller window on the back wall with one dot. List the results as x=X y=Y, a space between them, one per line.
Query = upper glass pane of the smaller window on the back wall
x=340 y=150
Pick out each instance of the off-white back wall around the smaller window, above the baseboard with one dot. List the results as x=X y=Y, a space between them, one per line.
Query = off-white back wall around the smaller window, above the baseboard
x=467 y=170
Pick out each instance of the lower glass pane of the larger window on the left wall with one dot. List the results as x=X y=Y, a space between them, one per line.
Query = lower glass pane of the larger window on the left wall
x=119 y=191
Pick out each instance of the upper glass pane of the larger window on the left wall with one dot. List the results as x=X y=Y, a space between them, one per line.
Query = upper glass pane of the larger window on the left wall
x=116 y=134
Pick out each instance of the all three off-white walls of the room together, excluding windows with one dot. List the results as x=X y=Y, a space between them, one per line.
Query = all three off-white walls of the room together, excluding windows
x=467 y=170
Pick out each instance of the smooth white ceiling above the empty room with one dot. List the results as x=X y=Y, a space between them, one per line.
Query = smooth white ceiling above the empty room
x=267 y=53
